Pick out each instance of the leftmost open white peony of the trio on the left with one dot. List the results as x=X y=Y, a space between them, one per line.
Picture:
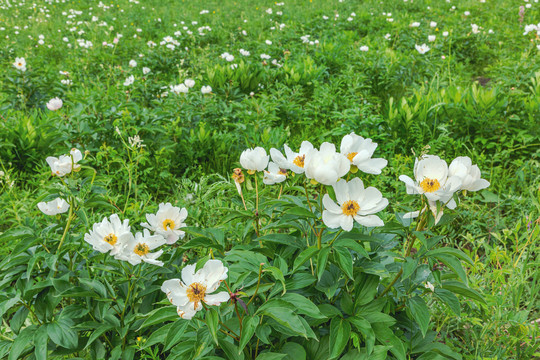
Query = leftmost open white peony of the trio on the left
x=110 y=235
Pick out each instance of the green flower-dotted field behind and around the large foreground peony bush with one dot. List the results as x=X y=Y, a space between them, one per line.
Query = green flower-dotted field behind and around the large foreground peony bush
x=476 y=92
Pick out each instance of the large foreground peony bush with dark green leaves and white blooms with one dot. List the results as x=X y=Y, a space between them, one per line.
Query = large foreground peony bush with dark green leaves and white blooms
x=317 y=266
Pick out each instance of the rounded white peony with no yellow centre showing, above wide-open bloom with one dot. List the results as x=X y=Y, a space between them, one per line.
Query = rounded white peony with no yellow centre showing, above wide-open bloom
x=326 y=165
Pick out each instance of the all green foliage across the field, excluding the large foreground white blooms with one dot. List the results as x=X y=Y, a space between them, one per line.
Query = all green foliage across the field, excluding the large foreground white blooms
x=162 y=98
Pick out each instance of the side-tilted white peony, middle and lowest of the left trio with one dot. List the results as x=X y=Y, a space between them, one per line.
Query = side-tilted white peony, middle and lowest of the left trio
x=137 y=249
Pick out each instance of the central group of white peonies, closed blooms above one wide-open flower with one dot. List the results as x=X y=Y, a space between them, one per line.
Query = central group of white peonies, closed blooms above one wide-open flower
x=327 y=166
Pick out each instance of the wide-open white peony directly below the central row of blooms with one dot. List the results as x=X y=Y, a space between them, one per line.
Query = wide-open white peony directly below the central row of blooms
x=355 y=203
